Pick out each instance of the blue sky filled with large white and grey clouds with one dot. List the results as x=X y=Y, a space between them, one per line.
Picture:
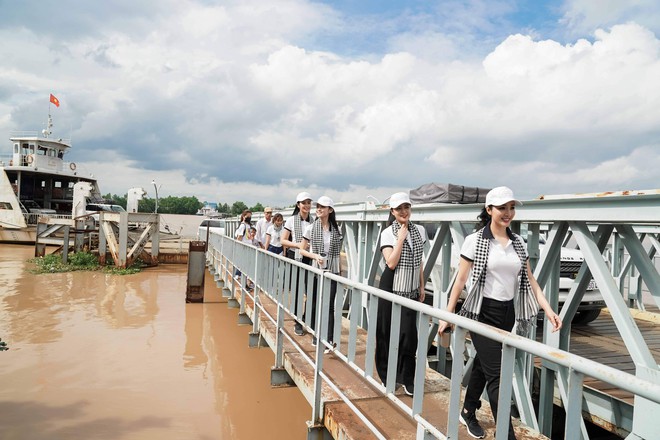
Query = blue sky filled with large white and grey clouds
x=256 y=100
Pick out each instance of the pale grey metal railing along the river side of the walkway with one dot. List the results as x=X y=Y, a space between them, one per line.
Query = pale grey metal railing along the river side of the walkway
x=283 y=280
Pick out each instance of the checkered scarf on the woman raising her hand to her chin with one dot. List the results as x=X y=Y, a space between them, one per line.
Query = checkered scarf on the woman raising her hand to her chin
x=406 y=274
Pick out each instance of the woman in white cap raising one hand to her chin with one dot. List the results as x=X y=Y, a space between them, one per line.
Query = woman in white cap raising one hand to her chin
x=402 y=245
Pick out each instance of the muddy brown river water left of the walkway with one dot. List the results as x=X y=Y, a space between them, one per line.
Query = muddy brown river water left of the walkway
x=99 y=356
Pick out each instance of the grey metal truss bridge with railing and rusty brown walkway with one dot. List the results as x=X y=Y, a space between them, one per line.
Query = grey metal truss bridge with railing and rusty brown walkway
x=618 y=237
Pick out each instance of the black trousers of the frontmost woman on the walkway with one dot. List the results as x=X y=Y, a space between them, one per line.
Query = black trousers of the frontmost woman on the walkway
x=488 y=361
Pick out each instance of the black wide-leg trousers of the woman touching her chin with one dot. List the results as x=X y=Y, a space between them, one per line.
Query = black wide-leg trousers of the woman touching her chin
x=405 y=368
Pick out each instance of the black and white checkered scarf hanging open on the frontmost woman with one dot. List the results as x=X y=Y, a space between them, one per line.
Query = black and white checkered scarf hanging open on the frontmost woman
x=524 y=301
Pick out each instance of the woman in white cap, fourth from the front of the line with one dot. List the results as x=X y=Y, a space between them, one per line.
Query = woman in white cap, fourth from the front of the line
x=291 y=238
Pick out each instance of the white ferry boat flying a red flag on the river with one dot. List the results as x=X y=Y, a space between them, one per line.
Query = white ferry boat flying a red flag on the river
x=36 y=180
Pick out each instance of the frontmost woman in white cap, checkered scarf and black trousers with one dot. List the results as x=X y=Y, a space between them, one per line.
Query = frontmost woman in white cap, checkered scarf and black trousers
x=502 y=292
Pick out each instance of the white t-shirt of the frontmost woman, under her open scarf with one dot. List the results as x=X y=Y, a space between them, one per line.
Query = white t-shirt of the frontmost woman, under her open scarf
x=502 y=270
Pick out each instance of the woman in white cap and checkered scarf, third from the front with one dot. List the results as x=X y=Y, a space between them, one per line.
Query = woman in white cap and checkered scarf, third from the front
x=323 y=238
